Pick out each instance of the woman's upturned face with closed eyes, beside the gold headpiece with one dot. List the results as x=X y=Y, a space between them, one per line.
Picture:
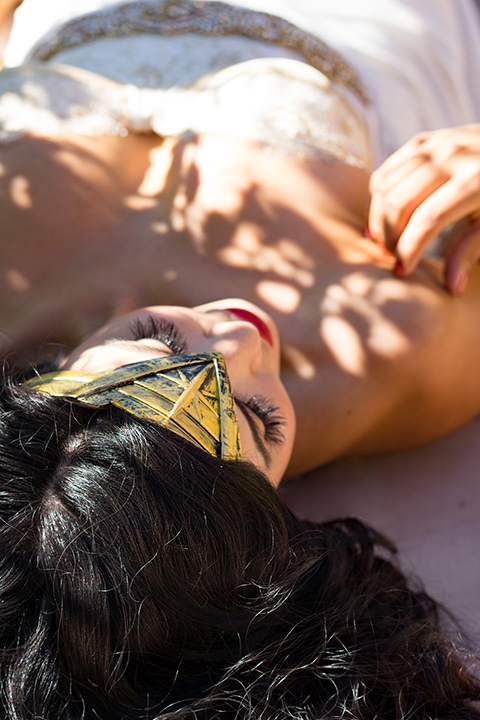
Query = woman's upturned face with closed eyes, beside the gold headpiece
x=253 y=366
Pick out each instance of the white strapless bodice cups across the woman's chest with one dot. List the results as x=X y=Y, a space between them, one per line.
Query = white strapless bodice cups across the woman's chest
x=278 y=102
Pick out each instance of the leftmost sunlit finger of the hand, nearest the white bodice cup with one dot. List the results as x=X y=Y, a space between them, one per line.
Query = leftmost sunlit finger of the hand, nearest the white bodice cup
x=391 y=212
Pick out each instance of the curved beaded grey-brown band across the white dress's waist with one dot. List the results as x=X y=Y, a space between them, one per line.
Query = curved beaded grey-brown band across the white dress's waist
x=177 y=17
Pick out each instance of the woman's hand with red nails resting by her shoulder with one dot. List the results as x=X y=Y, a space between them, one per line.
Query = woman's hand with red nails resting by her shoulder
x=428 y=184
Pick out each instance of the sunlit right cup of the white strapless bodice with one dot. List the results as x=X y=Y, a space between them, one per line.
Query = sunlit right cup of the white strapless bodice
x=278 y=102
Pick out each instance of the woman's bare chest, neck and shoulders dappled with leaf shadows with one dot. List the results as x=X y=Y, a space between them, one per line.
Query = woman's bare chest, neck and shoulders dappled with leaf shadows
x=372 y=363
